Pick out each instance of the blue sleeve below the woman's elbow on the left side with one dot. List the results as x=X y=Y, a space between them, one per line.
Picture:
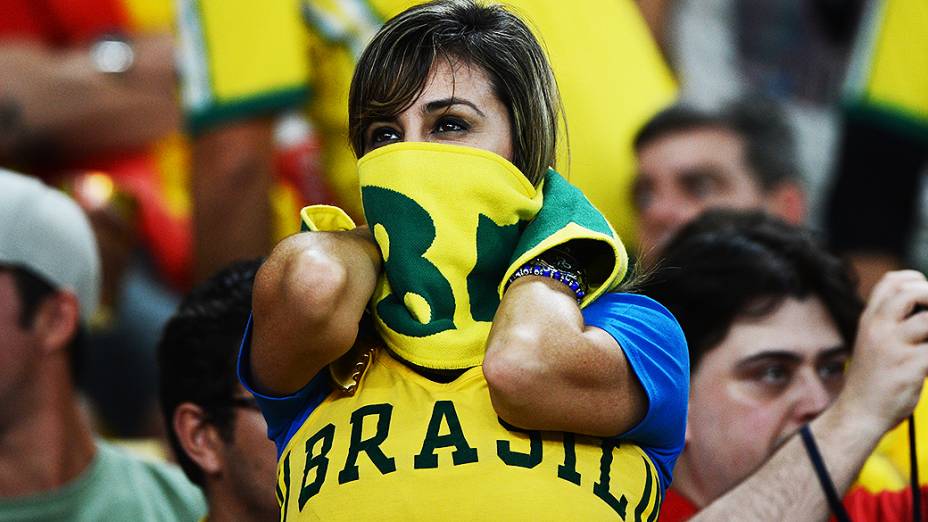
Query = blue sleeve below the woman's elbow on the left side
x=284 y=415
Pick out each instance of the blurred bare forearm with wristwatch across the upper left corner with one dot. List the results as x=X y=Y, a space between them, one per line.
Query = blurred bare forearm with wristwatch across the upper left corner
x=57 y=98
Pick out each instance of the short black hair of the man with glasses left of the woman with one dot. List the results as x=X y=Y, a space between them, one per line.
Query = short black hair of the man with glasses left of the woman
x=198 y=351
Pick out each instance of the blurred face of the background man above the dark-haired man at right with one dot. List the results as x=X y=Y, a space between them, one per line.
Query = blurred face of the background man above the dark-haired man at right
x=682 y=173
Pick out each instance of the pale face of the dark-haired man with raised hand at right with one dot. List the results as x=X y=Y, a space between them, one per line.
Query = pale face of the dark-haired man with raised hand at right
x=767 y=378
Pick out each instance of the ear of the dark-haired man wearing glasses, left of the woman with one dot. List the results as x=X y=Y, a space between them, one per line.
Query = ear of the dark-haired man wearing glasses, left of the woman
x=198 y=438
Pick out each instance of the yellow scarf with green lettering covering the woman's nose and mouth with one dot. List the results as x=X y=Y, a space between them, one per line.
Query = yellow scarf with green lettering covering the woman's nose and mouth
x=426 y=315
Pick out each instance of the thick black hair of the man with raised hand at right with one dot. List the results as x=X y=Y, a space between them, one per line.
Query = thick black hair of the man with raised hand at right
x=730 y=264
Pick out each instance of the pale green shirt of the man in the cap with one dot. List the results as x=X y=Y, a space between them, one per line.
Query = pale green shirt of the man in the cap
x=116 y=486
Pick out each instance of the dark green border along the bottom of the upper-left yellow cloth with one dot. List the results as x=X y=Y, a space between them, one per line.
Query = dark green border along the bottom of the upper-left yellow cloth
x=217 y=114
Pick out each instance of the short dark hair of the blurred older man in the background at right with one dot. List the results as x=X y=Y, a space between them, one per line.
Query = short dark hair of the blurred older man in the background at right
x=769 y=146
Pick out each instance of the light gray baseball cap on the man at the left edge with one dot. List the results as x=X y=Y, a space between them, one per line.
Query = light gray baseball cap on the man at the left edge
x=45 y=231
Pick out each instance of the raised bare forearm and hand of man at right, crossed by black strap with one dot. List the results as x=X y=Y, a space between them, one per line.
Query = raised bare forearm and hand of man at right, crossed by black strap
x=883 y=385
